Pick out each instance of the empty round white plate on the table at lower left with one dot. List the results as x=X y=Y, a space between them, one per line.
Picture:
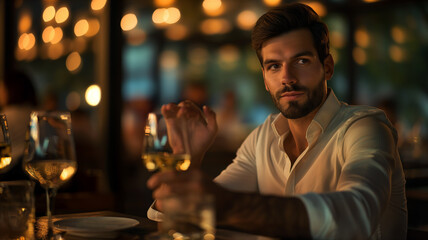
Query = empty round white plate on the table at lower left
x=95 y=226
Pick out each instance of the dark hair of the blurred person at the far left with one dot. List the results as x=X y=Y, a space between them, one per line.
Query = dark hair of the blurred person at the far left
x=20 y=89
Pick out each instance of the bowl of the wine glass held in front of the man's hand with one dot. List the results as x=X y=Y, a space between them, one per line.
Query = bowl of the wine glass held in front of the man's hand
x=164 y=150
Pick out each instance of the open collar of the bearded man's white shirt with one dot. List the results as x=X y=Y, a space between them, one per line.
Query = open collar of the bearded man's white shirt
x=323 y=117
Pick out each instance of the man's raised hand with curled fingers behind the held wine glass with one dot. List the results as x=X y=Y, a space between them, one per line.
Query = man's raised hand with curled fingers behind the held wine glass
x=201 y=127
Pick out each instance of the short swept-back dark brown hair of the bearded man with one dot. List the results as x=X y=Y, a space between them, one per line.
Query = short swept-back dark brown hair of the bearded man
x=286 y=18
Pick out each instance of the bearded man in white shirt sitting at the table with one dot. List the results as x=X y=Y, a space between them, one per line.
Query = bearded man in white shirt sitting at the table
x=320 y=169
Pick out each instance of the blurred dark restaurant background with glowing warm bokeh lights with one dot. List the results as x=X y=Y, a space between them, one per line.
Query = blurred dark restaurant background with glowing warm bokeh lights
x=109 y=62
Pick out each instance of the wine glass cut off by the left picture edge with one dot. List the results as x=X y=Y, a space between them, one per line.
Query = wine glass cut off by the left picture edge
x=5 y=148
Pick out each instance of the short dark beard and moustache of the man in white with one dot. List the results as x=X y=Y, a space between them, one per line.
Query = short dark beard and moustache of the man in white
x=295 y=109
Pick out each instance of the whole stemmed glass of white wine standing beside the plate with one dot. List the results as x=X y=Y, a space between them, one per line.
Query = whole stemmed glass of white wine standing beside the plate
x=49 y=154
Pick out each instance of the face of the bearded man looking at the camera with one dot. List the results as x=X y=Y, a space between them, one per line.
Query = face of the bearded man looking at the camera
x=293 y=73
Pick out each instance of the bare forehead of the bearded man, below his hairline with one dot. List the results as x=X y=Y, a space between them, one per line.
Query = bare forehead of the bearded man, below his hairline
x=289 y=44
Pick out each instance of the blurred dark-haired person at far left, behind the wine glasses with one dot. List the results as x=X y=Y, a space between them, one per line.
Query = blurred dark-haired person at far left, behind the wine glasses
x=17 y=100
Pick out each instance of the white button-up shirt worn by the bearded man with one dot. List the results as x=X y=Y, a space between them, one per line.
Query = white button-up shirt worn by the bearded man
x=350 y=177
